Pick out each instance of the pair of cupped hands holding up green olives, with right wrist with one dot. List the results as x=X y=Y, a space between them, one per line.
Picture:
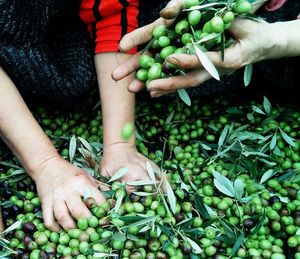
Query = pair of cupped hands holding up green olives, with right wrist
x=255 y=41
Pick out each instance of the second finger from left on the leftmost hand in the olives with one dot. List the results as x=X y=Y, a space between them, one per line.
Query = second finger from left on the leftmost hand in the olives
x=63 y=216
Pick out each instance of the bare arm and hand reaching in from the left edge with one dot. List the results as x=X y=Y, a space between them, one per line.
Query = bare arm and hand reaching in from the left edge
x=60 y=184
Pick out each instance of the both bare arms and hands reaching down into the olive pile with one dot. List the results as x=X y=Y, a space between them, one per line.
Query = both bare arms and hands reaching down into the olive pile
x=60 y=184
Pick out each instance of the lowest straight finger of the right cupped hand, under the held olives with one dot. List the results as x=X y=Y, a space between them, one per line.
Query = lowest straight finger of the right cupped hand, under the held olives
x=191 y=79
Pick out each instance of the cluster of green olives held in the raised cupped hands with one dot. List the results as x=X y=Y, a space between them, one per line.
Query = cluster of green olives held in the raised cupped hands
x=199 y=26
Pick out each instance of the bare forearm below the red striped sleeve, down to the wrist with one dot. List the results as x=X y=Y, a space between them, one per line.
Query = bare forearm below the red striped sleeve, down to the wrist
x=116 y=101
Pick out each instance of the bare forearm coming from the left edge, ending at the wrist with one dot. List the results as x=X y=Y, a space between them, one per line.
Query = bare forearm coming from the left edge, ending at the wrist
x=20 y=130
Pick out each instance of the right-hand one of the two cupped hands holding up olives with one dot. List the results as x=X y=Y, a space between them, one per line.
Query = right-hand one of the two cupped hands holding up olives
x=255 y=41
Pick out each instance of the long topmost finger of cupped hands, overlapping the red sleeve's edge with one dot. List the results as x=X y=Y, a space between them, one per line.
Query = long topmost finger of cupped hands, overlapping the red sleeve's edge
x=140 y=35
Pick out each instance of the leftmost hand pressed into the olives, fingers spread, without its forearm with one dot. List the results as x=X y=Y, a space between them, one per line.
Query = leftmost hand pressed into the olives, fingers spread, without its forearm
x=61 y=187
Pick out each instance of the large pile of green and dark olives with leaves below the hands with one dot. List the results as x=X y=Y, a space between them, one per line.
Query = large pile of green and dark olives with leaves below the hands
x=222 y=205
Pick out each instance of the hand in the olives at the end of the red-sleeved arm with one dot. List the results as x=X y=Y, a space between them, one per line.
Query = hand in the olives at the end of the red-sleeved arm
x=121 y=155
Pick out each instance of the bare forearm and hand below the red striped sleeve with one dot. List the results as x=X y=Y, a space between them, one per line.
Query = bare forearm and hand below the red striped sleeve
x=117 y=109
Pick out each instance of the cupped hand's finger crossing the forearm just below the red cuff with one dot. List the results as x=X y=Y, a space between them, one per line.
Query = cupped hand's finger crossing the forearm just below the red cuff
x=126 y=68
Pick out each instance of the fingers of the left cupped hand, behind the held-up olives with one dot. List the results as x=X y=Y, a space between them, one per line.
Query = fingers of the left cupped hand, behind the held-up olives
x=141 y=36
